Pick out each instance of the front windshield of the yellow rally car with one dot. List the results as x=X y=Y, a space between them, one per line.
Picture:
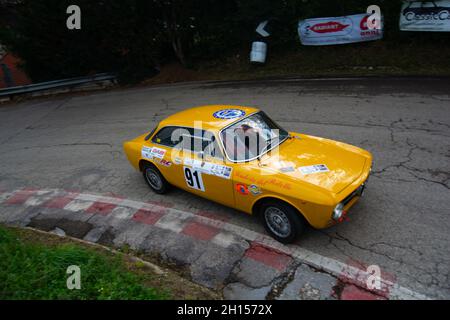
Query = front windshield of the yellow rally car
x=252 y=137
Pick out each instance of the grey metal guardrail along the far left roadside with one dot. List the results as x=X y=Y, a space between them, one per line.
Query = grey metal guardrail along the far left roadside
x=56 y=84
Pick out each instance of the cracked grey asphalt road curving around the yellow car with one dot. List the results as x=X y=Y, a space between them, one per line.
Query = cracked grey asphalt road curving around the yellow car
x=402 y=224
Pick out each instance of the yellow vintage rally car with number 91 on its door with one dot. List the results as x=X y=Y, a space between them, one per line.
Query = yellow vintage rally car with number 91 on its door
x=239 y=157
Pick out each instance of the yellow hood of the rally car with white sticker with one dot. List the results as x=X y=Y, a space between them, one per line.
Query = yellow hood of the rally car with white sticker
x=344 y=163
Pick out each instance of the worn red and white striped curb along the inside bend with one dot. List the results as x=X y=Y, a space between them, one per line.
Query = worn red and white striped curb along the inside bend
x=200 y=225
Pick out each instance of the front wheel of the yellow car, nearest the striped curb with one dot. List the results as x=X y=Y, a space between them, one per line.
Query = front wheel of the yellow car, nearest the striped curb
x=287 y=214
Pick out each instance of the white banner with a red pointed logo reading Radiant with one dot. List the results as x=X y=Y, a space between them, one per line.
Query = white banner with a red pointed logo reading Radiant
x=338 y=30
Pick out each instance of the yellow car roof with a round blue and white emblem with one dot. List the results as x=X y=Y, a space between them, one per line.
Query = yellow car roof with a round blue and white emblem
x=206 y=114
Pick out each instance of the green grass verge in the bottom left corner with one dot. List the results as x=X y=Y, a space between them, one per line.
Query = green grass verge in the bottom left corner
x=33 y=265
